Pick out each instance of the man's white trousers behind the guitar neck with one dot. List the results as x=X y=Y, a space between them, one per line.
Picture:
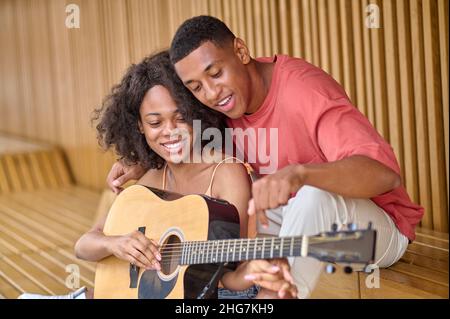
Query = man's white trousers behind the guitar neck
x=312 y=211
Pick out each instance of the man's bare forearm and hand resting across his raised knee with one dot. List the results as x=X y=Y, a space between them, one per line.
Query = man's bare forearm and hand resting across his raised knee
x=356 y=176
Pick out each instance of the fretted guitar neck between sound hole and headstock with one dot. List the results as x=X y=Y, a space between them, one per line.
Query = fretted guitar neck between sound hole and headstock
x=232 y=250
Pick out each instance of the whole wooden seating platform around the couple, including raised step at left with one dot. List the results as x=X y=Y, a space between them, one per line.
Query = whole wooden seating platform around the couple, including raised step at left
x=42 y=214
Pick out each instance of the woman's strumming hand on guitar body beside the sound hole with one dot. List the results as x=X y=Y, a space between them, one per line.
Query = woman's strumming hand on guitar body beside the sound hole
x=136 y=249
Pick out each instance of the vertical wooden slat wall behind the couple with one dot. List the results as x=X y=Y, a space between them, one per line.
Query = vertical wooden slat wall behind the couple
x=397 y=75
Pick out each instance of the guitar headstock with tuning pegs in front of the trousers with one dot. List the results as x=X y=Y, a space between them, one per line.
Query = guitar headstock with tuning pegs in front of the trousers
x=351 y=246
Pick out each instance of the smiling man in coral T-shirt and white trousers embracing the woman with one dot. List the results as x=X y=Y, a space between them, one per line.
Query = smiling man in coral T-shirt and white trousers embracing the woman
x=328 y=154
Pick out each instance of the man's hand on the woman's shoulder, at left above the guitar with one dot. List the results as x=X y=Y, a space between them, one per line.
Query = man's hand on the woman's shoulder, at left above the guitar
x=121 y=173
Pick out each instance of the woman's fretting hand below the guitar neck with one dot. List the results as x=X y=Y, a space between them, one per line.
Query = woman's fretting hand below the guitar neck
x=272 y=275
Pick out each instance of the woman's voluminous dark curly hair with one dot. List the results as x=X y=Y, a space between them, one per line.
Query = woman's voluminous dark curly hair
x=119 y=115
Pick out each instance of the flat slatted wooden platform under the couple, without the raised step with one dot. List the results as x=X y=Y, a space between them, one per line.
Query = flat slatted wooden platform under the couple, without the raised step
x=39 y=229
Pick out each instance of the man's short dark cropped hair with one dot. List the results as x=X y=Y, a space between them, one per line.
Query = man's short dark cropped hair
x=194 y=32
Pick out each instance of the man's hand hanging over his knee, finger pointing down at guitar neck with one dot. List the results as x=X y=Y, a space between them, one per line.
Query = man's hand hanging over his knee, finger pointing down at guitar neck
x=274 y=190
